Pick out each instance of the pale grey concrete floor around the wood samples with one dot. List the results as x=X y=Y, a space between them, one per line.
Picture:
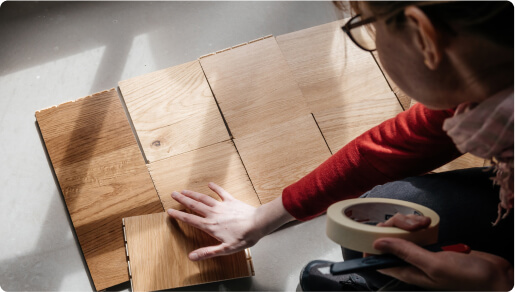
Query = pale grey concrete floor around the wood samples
x=54 y=52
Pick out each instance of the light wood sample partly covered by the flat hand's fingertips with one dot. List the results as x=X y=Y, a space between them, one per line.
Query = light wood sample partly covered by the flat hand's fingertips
x=218 y=163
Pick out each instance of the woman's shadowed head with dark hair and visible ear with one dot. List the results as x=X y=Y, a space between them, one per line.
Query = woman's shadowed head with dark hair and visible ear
x=444 y=53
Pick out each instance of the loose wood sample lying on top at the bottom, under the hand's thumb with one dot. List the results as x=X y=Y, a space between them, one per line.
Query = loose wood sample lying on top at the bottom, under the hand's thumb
x=158 y=250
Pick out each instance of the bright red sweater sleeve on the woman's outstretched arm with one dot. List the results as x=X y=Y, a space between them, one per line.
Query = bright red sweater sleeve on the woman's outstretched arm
x=412 y=143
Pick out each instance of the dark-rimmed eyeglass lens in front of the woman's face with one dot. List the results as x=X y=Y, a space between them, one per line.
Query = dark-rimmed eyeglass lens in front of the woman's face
x=361 y=32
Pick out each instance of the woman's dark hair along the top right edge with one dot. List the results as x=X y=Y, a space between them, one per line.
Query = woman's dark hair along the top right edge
x=492 y=20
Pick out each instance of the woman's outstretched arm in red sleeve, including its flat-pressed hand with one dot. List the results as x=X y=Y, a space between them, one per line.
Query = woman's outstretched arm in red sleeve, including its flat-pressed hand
x=409 y=144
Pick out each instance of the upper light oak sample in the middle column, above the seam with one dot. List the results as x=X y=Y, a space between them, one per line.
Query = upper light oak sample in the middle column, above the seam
x=254 y=87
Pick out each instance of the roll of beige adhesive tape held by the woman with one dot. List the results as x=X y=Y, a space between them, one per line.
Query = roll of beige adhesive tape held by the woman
x=351 y=223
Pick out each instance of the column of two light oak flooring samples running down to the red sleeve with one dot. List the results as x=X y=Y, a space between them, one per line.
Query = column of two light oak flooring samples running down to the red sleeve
x=274 y=132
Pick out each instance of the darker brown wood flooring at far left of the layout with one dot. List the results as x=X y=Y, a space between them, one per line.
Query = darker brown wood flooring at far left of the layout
x=102 y=176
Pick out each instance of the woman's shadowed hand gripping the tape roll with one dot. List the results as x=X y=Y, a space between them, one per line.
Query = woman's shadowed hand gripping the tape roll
x=443 y=270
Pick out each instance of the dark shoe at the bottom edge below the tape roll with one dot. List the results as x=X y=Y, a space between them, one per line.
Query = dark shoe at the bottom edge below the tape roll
x=316 y=276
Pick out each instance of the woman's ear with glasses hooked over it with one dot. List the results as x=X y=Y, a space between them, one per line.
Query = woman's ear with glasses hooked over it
x=425 y=36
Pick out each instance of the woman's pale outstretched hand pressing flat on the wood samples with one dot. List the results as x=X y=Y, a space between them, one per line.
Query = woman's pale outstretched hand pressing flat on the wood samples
x=235 y=224
